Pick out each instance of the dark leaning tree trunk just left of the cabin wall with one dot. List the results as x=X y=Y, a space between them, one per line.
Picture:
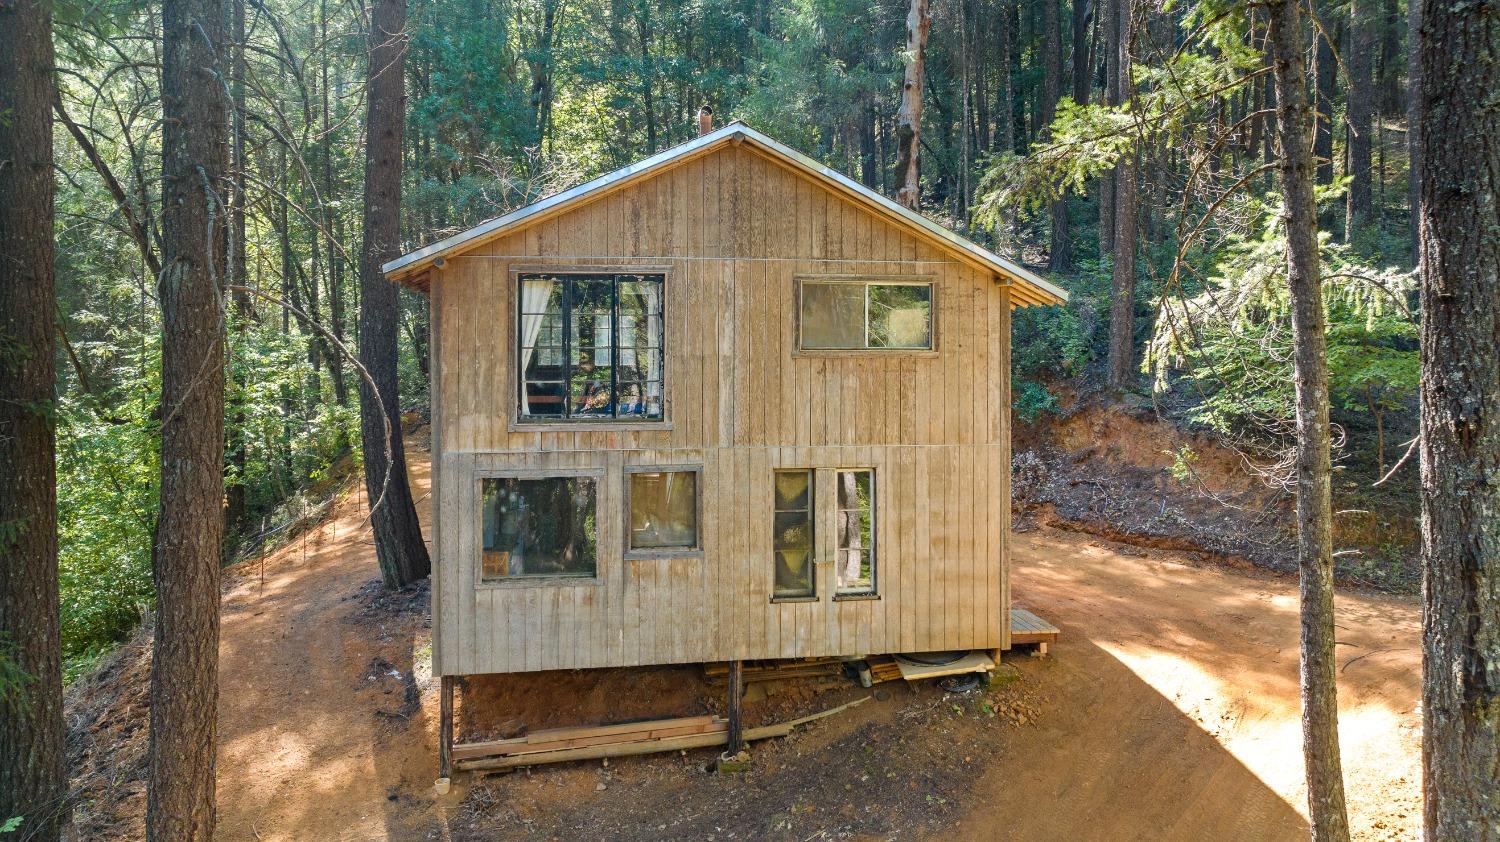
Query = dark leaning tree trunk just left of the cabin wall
x=398 y=535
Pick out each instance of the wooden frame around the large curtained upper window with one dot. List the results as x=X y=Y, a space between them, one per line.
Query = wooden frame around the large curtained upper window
x=515 y=379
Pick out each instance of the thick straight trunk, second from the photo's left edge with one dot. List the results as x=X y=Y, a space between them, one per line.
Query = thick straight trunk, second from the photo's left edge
x=190 y=528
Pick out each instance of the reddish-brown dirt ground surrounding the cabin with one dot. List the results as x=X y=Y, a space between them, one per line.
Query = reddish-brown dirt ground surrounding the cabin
x=1169 y=711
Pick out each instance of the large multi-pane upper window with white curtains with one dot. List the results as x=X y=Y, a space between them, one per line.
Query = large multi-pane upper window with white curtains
x=590 y=347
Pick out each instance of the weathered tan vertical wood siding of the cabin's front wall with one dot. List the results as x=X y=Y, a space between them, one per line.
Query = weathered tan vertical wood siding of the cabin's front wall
x=733 y=230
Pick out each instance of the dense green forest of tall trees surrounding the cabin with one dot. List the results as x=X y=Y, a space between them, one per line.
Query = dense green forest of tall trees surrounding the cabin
x=197 y=199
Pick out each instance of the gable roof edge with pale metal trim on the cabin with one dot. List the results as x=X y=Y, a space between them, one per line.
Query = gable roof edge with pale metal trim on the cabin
x=1027 y=286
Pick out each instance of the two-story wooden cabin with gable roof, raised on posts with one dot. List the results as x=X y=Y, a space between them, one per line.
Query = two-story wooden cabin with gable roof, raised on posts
x=722 y=404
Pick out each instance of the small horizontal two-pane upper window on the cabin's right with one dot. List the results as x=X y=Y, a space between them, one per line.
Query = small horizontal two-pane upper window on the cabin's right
x=857 y=316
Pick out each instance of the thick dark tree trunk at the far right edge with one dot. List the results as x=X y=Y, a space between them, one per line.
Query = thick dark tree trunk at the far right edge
x=1460 y=56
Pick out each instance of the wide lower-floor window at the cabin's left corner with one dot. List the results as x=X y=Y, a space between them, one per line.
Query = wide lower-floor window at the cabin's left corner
x=539 y=528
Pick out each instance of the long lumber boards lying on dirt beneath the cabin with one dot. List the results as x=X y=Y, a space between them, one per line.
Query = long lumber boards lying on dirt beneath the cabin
x=559 y=745
